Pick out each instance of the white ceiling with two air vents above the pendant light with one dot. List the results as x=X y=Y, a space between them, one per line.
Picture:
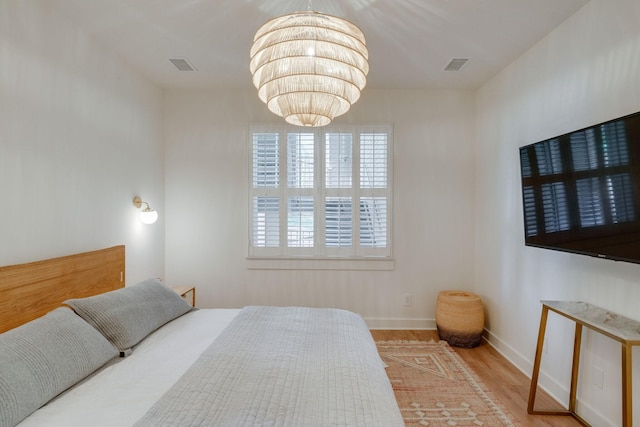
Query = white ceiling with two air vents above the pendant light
x=410 y=42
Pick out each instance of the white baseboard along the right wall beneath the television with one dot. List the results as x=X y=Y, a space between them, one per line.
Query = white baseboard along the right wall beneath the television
x=545 y=382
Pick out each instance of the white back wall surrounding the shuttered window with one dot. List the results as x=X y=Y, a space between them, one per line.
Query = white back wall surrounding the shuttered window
x=207 y=198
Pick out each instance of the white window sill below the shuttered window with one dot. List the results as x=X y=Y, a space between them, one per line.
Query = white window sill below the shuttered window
x=359 y=264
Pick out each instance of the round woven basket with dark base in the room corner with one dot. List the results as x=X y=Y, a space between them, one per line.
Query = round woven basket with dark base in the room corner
x=460 y=318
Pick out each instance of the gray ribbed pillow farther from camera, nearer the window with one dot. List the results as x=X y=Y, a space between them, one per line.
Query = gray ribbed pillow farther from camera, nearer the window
x=126 y=316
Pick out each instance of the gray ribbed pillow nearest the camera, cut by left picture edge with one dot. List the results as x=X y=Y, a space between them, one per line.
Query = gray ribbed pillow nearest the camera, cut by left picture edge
x=44 y=357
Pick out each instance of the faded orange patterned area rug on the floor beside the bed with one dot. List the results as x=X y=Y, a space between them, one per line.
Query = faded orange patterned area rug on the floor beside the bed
x=436 y=388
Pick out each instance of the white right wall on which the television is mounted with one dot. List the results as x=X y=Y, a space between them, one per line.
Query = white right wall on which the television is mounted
x=585 y=72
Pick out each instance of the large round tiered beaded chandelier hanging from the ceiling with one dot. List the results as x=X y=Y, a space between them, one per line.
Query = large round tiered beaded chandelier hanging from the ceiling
x=309 y=67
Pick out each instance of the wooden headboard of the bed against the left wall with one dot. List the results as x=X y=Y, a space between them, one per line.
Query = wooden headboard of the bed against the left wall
x=31 y=290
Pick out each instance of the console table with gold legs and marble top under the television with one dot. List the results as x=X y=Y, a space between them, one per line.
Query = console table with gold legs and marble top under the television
x=622 y=329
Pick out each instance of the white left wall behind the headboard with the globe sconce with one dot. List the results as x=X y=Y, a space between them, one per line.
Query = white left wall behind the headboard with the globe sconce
x=80 y=136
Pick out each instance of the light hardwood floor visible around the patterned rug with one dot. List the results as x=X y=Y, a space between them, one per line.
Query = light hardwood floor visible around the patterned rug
x=504 y=380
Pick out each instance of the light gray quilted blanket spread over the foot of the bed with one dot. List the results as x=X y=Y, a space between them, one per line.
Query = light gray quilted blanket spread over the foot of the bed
x=278 y=366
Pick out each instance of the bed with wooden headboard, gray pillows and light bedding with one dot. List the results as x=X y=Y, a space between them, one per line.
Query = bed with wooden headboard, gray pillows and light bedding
x=78 y=348
